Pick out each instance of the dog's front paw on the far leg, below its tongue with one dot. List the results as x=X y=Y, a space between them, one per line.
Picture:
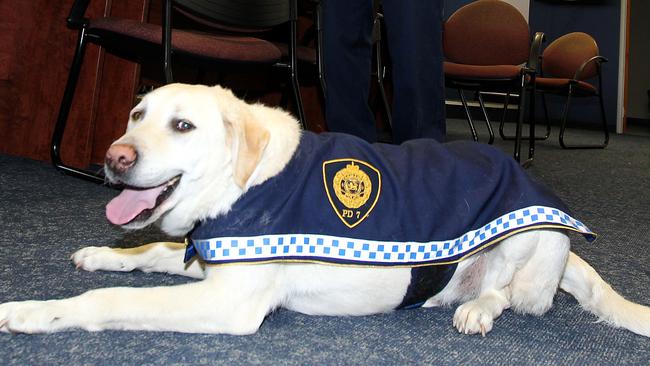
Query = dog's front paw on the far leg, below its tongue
x=101 y=259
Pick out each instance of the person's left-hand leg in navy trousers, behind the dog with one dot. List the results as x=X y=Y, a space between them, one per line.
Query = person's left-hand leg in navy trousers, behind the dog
x=347 y=52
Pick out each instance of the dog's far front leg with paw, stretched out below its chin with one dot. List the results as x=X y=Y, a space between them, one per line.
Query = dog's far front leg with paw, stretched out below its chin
x=164 y=257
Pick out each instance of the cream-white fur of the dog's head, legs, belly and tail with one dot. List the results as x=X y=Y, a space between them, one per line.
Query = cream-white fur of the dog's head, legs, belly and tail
x=237 y=145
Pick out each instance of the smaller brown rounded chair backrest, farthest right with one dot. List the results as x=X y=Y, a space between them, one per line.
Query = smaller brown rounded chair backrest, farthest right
x=564 y=56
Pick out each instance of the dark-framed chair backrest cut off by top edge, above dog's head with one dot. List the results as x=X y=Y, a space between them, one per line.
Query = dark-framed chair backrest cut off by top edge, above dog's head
x=239 y=14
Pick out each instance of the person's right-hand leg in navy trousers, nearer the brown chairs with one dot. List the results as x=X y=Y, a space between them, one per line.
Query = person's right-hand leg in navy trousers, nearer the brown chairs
x=414 y=30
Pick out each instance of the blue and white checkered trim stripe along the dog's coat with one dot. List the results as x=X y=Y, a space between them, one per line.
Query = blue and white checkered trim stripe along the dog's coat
x=324 y=248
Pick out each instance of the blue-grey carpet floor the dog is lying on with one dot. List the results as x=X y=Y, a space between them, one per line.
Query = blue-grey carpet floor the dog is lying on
x=45 y=216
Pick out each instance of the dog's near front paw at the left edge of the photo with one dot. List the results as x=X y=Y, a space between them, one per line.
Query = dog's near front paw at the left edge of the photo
x=29 y=317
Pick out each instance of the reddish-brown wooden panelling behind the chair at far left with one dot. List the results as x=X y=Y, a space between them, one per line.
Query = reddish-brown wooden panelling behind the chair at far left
x=36 y=49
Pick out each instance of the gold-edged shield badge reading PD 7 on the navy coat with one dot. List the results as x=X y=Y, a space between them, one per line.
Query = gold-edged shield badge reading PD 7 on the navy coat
x=353 y=188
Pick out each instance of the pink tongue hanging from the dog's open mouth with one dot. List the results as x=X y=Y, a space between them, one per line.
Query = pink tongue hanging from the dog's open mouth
x=128 y=204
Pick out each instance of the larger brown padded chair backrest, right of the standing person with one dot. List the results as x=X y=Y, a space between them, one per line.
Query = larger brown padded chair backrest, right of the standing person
x=487 y=32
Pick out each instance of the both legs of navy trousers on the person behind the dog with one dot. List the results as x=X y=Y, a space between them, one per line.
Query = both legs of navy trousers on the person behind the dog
x=414 y=29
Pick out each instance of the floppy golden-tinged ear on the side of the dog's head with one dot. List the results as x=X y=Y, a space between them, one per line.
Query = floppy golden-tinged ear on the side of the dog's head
x=245 y=134
